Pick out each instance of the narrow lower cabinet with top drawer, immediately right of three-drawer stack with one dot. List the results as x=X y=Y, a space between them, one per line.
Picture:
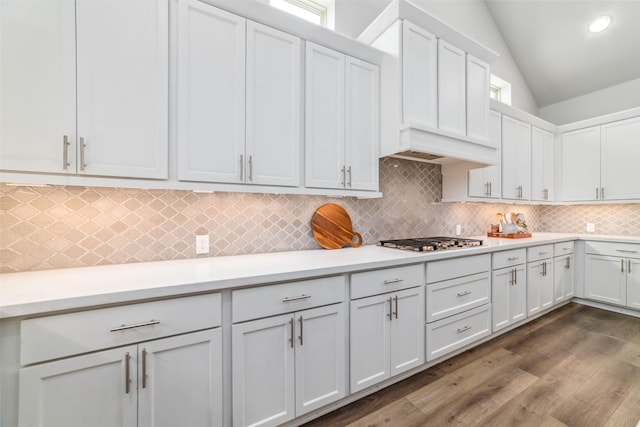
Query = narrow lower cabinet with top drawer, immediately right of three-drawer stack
x=508 y=288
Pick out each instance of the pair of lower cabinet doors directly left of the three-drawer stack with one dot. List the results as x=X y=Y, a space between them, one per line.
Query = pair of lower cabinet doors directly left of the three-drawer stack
x=387 y=336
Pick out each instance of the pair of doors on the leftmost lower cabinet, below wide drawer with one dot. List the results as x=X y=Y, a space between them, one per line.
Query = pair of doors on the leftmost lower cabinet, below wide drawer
x=167 y=382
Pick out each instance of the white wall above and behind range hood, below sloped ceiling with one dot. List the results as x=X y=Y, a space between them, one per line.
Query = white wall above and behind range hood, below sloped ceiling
x=471 y=17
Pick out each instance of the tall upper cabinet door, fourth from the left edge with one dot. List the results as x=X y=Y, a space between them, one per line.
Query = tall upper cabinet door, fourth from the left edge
x=274 y=105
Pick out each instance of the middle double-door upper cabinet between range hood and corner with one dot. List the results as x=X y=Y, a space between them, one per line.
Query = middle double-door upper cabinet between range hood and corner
x=516 y=159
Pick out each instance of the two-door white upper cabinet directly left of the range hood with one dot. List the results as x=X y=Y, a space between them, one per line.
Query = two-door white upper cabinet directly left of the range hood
x=341 y=132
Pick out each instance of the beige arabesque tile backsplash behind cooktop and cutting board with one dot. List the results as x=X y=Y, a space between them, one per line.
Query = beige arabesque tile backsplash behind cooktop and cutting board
x=55 y=227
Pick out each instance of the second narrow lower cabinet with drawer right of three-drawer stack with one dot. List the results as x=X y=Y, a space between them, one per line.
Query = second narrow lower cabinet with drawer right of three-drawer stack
x=539 y=278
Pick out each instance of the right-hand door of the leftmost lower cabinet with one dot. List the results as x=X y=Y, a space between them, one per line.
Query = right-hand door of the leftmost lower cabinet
x=180 y=381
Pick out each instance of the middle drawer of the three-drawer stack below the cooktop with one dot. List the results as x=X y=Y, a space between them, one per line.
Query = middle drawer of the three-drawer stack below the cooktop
x=454 y=296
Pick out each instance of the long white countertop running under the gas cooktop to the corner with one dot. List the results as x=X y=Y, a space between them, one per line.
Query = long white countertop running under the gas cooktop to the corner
x=29 y=293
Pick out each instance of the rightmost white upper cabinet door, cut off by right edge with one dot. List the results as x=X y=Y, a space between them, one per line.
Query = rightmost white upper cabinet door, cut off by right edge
x=620 y=151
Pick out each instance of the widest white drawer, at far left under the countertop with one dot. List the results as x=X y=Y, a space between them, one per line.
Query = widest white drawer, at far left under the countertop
x=62 y=335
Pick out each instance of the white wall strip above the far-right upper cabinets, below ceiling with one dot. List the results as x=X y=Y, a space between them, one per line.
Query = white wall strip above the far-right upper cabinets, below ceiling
x=610 y=100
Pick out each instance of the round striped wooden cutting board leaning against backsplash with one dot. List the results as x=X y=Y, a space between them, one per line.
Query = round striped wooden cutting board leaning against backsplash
x=332 y=229
